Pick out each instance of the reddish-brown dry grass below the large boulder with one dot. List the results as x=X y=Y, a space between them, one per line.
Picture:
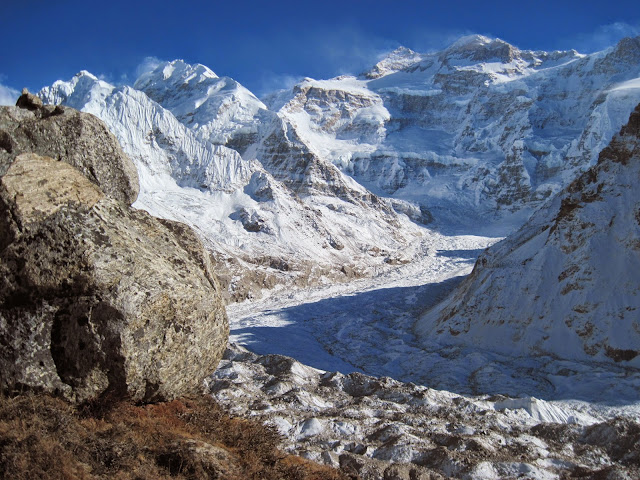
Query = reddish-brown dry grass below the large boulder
x=46 y=438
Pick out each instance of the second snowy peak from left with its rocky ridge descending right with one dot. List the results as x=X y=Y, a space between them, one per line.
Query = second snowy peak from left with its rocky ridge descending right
x=222 y=111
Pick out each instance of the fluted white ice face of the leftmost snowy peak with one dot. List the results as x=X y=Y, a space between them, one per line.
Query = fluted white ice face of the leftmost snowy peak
x=151 y=135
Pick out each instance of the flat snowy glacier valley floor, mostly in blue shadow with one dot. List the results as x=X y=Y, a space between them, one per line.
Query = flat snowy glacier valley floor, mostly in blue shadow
x=366 y=326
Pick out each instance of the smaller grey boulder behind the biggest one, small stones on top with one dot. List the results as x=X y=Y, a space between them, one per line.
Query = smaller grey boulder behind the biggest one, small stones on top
x=77 y=138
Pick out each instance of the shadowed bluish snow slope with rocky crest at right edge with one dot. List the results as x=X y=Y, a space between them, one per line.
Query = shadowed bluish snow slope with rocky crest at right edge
x=567 y=283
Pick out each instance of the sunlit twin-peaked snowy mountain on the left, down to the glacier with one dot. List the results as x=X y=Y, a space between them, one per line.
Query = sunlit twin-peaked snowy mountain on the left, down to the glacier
x=259 y=229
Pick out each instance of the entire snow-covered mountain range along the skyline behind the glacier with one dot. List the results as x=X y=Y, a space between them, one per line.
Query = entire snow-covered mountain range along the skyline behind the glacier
x=341 y=175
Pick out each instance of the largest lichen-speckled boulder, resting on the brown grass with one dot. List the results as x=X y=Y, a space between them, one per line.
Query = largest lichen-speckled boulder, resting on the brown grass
x=97 y=298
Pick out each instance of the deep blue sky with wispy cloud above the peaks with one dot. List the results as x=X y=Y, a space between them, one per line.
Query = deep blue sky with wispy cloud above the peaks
x=269 y=44
